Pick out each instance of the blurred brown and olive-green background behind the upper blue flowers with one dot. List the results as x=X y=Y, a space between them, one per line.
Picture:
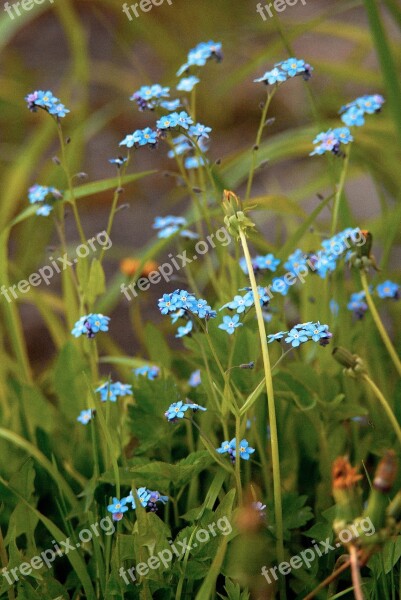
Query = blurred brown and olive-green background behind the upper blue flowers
x=94 y=58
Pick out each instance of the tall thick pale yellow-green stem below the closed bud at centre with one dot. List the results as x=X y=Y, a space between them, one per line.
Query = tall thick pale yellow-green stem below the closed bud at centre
x=278 y=509
